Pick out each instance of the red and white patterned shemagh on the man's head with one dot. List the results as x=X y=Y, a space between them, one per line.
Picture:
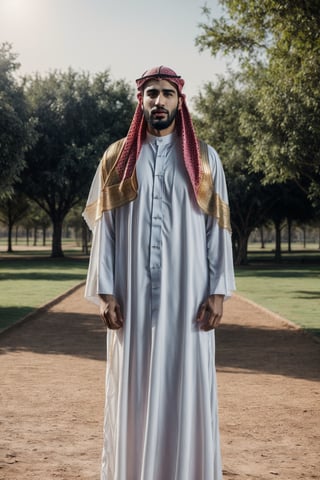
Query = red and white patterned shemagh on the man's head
x=185 y=130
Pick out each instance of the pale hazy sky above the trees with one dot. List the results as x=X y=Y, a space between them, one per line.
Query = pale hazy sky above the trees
x=125 y=36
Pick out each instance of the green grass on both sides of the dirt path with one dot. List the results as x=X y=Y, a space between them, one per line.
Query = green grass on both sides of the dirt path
x=30 y=278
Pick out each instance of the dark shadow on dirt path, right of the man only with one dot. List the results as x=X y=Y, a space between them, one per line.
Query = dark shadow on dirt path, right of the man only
x=287 y=352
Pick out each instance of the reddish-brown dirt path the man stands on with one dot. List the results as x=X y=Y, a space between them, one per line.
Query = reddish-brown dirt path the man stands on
x=52 y=395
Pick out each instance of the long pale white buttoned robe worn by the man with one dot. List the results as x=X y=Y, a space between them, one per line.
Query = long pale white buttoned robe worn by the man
x=161 y=257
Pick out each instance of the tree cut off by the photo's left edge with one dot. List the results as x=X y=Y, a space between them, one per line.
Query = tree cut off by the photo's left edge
x=16 y=125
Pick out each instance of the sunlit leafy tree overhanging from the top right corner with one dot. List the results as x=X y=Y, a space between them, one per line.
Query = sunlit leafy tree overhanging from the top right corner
x=277 y=44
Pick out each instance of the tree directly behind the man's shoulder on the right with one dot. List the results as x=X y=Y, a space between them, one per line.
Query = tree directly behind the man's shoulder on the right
x=219 y=110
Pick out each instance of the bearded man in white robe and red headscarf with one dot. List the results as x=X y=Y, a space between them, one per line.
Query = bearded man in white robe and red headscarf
x=161 y=267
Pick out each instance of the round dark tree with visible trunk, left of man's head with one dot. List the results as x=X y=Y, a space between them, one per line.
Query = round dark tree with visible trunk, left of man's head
x=77 y=117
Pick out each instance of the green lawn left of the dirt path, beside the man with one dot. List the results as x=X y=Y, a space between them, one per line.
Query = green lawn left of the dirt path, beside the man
x=29 y=282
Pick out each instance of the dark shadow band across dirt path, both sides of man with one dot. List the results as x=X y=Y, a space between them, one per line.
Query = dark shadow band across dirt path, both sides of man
x=278 y=352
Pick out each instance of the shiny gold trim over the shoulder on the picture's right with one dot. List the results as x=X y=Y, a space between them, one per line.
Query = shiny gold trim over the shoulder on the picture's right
x=208 y=200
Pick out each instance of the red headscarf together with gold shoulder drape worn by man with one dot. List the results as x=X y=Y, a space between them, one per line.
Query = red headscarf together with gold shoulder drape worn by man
x=115 y=183
